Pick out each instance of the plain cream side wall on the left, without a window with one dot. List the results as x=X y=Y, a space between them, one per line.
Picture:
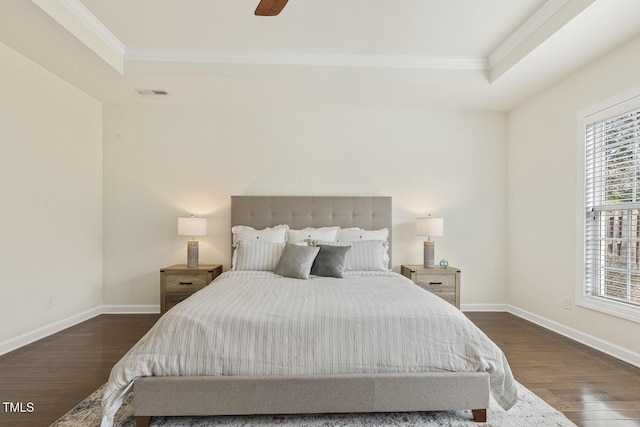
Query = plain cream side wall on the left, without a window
x=51 y=204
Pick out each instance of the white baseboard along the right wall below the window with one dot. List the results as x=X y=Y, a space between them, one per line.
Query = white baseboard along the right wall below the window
x=606 y=347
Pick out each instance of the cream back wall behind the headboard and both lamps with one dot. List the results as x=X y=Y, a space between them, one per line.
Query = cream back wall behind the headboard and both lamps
x=162 y=162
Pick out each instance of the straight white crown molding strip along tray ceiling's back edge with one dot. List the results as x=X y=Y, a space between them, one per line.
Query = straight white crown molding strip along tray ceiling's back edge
x=298 y=58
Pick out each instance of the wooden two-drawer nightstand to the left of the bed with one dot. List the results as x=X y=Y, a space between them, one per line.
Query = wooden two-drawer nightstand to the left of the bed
x=179 y=282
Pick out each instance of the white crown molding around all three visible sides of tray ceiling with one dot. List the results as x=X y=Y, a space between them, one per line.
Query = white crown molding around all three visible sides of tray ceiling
x=113 y=51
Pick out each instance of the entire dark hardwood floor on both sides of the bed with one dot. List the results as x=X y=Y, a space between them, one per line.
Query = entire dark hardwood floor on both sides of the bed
x=56 y=373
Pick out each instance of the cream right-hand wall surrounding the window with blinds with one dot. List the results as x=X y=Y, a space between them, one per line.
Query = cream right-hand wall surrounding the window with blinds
x=542 y=176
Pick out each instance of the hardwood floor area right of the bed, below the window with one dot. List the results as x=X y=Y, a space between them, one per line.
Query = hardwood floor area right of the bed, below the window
x=589 y=387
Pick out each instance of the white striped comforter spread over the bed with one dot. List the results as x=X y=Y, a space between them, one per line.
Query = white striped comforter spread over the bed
x=259 y=323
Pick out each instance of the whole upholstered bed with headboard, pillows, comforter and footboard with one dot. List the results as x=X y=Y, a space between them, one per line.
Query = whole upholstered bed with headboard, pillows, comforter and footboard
x=357 y=372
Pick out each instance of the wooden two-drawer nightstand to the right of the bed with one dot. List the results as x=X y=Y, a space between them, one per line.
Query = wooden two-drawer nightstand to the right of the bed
x=444 y=282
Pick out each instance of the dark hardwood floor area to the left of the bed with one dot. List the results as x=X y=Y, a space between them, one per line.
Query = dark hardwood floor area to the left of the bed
x=58 y=372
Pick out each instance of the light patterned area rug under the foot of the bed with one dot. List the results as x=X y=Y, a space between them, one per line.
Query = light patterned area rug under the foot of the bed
x=530 y=410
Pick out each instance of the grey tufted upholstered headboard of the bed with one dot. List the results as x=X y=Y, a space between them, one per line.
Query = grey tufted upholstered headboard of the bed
x=370 y=213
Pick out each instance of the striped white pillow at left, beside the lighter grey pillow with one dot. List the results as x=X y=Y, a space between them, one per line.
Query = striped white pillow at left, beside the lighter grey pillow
x=256 y=255
